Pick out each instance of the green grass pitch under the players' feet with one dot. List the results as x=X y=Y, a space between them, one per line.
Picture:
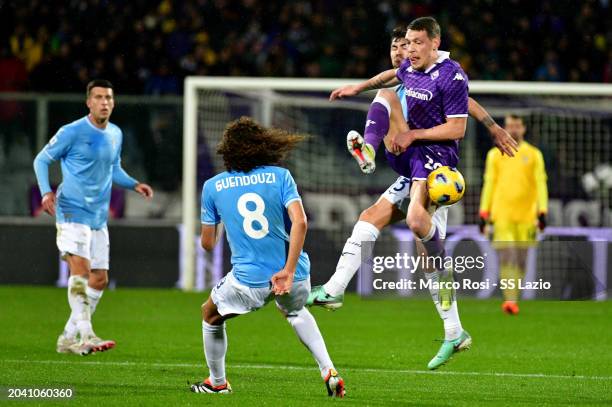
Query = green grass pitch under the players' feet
x=553 y=353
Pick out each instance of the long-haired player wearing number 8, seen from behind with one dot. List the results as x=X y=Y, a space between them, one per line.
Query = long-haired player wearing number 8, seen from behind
x=265 y=223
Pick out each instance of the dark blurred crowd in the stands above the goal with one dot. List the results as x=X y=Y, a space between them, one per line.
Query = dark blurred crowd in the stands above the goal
x=145 y=46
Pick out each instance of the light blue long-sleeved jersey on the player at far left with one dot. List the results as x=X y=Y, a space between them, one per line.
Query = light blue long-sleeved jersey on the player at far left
x=90 y=161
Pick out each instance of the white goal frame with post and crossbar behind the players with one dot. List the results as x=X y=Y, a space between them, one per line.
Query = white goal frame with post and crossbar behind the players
x=267 y=87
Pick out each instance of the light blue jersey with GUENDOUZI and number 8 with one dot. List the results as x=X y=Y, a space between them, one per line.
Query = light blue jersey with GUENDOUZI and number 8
x=253 y=208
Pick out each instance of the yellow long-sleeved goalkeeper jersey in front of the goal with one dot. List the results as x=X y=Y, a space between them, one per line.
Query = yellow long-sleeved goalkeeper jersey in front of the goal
x=514 y=188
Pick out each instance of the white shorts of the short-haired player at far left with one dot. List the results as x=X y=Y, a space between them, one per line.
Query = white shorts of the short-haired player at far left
x=81 y=240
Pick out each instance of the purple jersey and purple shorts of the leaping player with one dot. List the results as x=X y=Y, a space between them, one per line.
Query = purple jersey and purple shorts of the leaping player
x=432 y=96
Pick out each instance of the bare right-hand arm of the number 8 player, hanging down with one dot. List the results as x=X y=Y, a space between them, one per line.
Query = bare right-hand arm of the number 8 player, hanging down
x=283 y=280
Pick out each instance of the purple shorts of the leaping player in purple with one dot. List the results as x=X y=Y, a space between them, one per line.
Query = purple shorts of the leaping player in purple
x=419 y=160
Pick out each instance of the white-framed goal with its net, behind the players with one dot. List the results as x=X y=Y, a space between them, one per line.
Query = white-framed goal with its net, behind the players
x=570 y=123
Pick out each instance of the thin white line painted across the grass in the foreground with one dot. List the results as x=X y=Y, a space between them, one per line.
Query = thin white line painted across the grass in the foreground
x=289 y=367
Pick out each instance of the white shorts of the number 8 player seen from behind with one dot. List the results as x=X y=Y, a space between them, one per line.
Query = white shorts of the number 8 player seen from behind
x=232 y=297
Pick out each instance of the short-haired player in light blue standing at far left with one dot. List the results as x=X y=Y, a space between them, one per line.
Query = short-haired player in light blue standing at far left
x=89 y=151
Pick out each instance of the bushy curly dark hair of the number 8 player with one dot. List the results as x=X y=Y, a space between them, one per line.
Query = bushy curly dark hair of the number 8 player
x=247 y=144
